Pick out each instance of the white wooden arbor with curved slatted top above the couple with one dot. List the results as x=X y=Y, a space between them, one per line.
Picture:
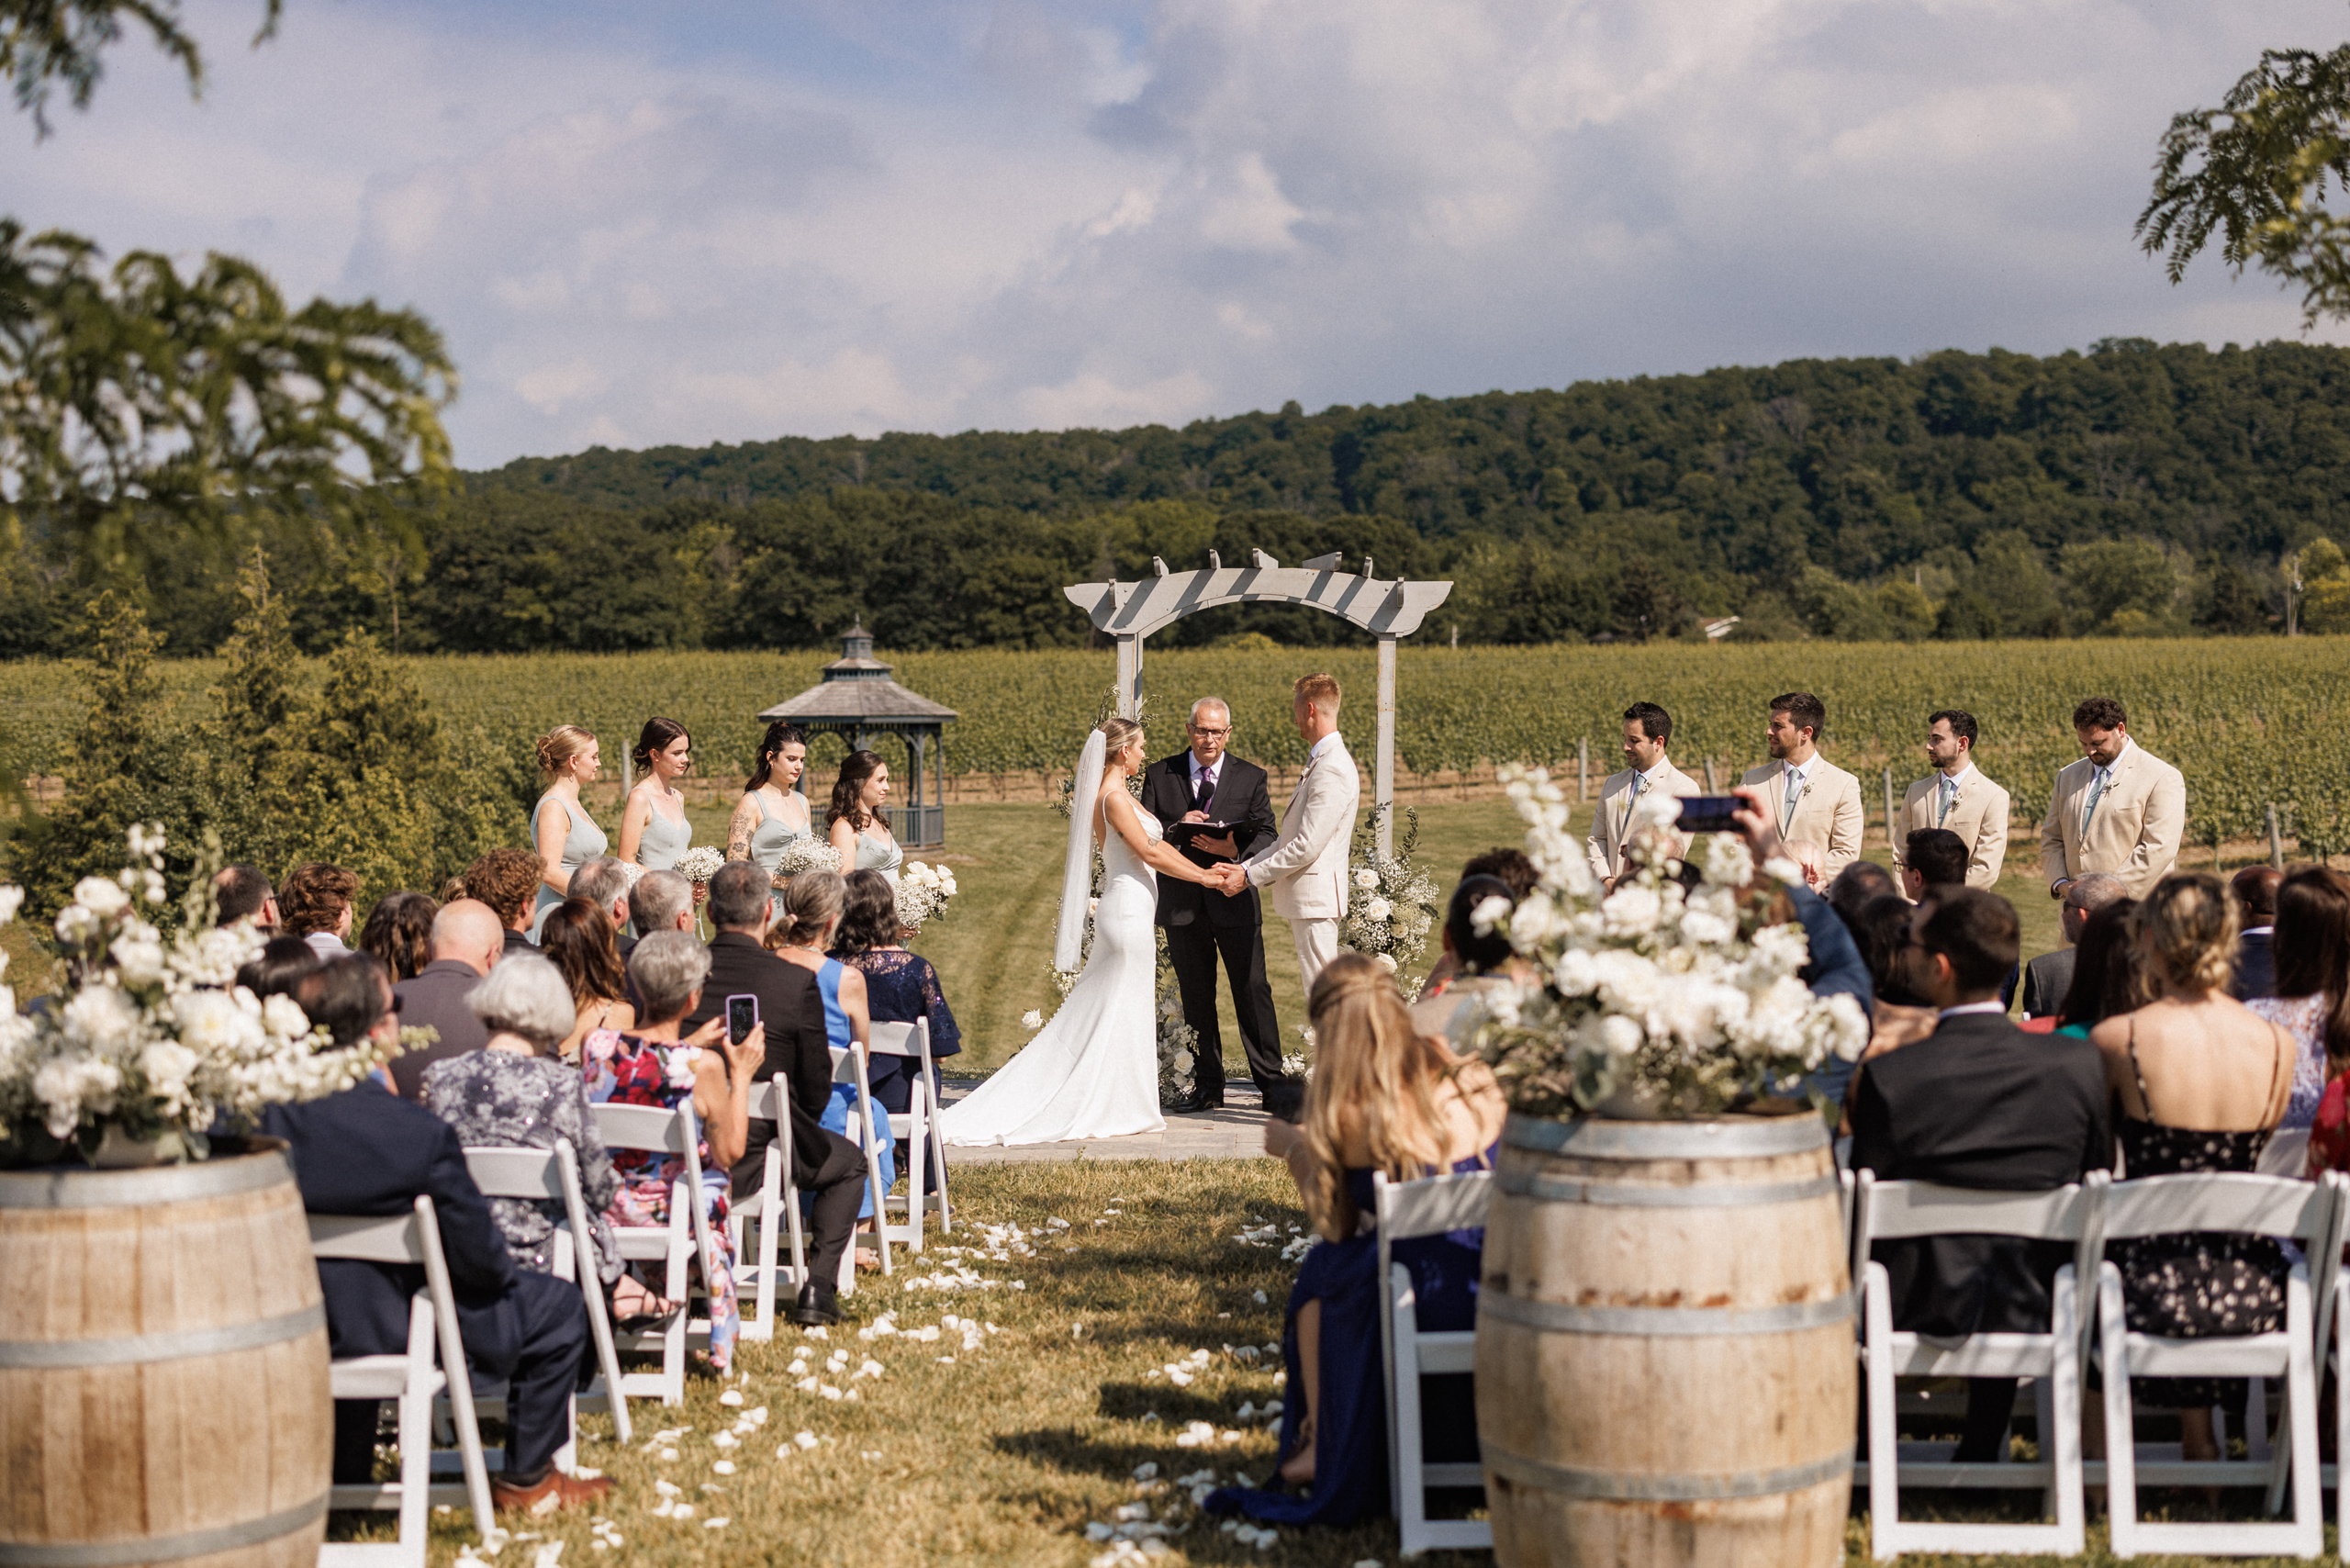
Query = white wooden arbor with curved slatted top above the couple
x=1388 y=612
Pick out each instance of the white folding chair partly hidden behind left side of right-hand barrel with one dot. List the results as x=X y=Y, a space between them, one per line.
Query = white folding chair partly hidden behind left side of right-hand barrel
x=1425 y=1209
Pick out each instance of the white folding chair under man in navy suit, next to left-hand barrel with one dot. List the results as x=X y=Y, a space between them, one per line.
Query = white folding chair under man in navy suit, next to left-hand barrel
x=408 y=1379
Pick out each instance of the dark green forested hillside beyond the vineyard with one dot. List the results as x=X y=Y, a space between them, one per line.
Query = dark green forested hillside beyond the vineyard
x=2130 y=490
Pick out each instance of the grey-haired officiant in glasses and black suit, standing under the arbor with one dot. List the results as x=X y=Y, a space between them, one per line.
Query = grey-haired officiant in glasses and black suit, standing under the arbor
x=1207 y=786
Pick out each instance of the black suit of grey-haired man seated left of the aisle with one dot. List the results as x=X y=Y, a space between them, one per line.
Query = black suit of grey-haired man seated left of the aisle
x=800 y=1057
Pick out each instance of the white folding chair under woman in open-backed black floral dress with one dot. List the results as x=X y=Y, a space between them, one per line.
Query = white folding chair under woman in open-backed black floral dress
x=2227 y=1202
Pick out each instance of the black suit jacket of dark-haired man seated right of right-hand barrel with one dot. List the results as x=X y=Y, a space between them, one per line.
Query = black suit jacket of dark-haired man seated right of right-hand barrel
x=1980 y=1104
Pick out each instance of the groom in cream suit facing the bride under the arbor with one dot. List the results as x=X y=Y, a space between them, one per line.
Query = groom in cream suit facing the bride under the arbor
x=1308 y=864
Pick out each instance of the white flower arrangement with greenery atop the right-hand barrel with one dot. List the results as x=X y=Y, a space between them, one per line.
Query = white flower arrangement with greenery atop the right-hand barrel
x=1672 y=998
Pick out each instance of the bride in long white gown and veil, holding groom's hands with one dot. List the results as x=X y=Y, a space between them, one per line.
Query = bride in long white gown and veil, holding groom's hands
x=1094 y=1068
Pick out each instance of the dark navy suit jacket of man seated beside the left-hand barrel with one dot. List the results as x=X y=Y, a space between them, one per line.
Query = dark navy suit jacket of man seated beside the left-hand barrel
x=370 y=1153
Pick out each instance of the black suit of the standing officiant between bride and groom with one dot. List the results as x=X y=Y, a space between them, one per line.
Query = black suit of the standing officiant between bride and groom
x=1207 y=927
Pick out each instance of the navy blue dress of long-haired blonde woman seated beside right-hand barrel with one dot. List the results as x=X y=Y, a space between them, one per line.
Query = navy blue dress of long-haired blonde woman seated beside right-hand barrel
x=1350 y=1440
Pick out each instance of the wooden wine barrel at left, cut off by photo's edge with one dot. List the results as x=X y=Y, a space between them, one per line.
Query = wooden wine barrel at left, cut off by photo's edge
x=163 y=1369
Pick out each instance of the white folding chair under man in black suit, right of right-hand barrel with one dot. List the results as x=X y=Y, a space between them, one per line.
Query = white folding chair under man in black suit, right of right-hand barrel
x=1888 y=1212
